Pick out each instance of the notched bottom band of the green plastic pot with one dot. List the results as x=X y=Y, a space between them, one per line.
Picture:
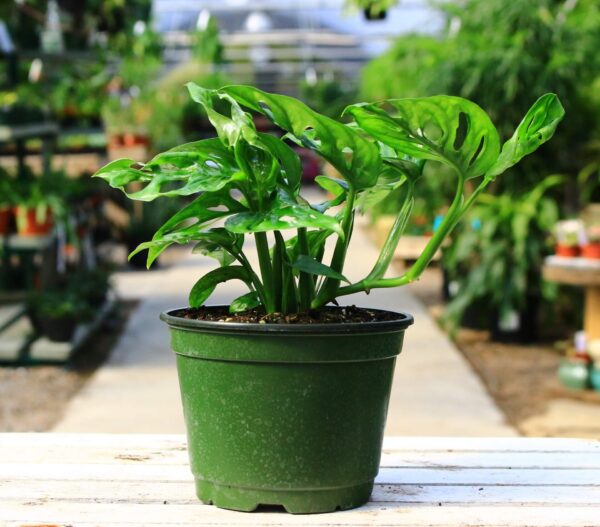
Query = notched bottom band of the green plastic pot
x=293 y=501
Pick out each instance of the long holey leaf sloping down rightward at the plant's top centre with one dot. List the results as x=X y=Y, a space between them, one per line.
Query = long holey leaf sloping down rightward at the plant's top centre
x=354 y=156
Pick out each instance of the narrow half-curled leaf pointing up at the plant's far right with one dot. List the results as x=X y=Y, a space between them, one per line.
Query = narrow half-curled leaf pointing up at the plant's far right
x=536 y=128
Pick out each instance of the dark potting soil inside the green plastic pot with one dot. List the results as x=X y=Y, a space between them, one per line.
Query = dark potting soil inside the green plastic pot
x=324 y=315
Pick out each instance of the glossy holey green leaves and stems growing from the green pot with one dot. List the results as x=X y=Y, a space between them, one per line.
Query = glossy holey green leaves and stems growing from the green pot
x=251 y=180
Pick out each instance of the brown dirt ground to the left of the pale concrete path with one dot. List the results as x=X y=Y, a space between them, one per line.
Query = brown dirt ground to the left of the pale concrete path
x=33 y=398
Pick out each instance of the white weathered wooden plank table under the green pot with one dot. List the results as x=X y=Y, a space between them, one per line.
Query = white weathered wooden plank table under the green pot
x=144 y=480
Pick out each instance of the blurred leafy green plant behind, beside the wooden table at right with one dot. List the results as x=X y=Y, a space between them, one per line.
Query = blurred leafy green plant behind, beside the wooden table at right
x=500 y=251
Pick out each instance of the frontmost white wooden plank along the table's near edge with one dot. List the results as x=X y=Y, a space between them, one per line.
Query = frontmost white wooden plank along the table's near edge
x=379 y=514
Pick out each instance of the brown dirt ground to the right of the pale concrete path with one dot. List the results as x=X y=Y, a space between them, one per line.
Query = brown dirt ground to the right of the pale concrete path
x=522 y=379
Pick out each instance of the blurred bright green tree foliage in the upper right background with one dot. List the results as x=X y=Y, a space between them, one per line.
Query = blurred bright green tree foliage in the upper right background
x=496 y=53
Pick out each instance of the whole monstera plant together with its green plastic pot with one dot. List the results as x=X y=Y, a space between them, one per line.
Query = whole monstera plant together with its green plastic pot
x=285 y=395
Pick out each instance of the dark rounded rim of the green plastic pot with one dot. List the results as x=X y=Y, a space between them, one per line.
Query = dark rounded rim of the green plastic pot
x=385 y=326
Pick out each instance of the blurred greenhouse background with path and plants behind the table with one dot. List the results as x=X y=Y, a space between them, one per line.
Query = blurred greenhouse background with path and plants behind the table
x=508 y=314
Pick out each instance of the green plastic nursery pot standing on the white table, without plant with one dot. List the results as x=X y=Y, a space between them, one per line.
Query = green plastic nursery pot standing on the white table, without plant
x=289 y=415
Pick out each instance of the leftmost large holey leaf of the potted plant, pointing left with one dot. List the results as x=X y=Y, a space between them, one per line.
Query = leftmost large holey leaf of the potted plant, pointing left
x=187 y=169
